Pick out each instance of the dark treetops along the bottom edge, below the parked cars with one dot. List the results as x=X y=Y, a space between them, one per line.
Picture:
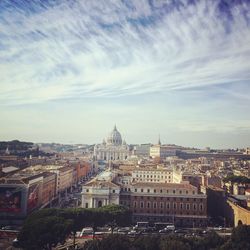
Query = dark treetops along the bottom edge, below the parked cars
x=240 y=240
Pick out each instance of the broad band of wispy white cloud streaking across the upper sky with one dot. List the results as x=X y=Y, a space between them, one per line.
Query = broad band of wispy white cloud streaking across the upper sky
x=78 y=49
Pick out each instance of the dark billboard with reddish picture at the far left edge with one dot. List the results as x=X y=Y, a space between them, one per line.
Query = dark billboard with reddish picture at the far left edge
x=10 y=199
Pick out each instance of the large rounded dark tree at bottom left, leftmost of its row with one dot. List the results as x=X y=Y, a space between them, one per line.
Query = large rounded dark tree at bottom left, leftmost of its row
x=44 y=233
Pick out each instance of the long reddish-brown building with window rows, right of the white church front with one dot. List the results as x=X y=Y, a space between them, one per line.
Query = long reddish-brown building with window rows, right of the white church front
x=180 y=204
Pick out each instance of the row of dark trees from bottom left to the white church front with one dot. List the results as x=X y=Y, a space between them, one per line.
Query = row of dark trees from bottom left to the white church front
x=46 y=228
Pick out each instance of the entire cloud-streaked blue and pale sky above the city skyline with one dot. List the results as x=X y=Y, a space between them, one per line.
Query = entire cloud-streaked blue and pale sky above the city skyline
x=72 y=69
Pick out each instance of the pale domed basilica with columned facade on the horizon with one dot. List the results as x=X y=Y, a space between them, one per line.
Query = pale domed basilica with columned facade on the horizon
x=113 y=148
